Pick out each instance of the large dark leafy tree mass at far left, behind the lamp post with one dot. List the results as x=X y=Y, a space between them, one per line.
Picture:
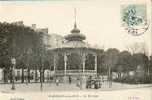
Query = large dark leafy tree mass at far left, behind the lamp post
x=17 y=41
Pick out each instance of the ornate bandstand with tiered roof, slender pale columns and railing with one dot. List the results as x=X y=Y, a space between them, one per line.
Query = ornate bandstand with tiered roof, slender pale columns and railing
x=75 y=58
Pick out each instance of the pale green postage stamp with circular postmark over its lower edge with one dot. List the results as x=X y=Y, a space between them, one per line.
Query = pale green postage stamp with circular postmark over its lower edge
x=134 y=19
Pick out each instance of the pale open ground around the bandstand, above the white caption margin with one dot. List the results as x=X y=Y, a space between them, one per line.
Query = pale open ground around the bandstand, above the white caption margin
x=47 y=87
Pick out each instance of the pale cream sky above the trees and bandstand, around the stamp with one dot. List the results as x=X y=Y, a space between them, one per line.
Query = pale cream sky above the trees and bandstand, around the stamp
x=99 y=20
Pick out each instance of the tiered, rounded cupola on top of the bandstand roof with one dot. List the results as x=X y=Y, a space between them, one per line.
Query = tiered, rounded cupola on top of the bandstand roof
x=75 y=35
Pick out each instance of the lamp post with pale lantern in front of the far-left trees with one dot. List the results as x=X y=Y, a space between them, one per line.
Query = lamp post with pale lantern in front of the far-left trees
x=13 y=61
